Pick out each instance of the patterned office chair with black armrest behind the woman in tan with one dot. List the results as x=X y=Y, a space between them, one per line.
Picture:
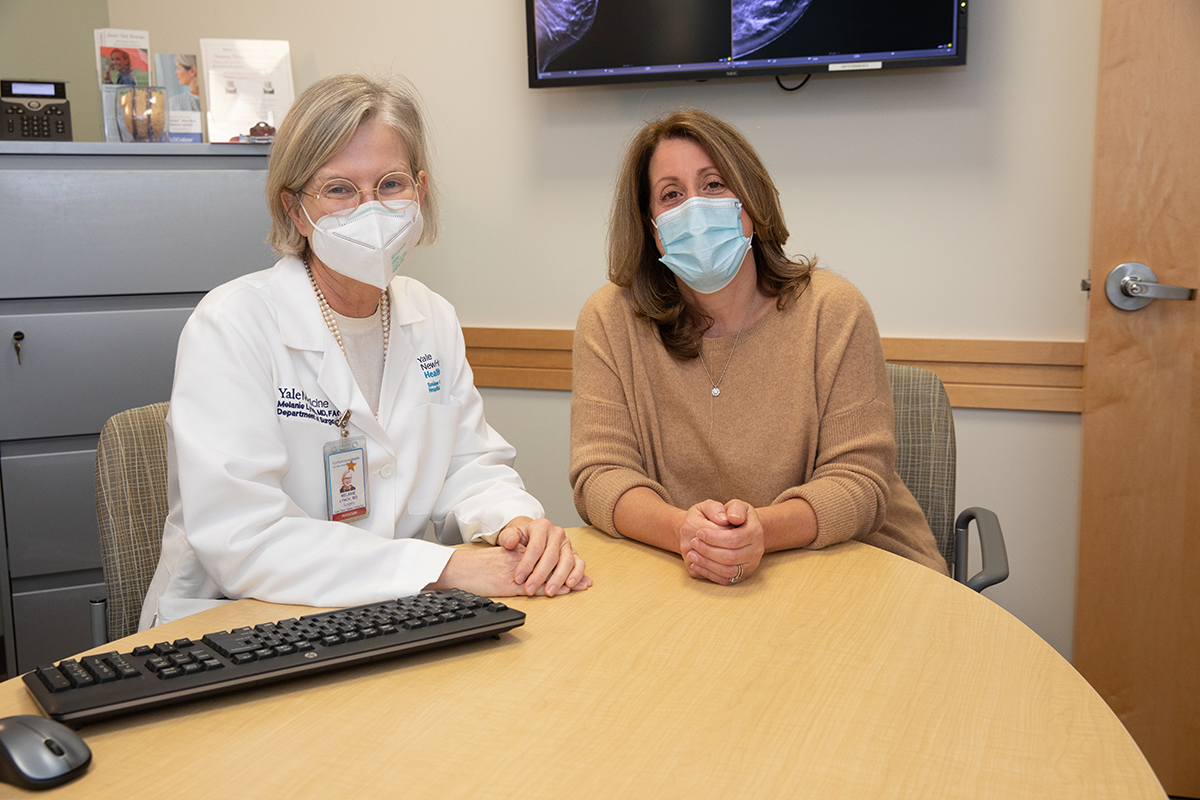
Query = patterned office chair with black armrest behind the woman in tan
x=926 y=461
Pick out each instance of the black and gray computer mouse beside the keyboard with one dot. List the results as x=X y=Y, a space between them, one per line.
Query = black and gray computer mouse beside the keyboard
x=39 y=754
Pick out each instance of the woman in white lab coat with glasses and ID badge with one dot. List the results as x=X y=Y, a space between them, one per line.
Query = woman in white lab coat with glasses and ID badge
x=333 y=362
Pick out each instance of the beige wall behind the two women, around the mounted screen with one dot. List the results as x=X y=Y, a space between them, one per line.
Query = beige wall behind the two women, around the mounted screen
x=957 y=200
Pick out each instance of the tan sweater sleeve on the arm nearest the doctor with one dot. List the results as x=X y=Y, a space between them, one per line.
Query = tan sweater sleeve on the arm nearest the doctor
x=607 y=458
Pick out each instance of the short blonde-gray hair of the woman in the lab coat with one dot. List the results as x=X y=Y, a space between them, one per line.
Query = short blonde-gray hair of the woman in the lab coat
x=321 y=123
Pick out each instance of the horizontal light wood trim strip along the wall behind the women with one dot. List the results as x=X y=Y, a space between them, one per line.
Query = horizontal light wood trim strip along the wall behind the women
x=979 y=374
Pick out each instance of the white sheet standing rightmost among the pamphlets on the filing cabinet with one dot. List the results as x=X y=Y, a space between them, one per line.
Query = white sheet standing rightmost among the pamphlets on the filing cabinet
x=247 y=82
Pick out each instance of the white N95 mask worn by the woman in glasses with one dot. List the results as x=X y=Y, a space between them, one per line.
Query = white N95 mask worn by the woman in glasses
x=370 y=244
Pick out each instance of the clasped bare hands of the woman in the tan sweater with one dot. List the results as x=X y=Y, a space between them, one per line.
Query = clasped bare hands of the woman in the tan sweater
x=722 y=543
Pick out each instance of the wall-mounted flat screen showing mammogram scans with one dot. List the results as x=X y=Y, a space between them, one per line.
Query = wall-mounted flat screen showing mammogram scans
x=580 y=43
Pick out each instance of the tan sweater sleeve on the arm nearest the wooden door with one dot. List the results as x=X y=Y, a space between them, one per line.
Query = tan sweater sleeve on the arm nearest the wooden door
x=849 y=486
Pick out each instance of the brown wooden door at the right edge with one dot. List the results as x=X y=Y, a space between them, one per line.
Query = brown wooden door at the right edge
x=1138 y=613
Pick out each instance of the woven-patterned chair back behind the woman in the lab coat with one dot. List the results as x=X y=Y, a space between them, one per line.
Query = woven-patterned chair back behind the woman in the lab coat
x=131 y=509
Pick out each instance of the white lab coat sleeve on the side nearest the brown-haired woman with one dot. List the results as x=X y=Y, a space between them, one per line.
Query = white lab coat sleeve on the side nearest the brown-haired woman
x=482 y=490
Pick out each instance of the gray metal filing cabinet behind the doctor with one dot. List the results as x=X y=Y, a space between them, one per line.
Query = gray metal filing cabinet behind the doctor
x=105 y=250
